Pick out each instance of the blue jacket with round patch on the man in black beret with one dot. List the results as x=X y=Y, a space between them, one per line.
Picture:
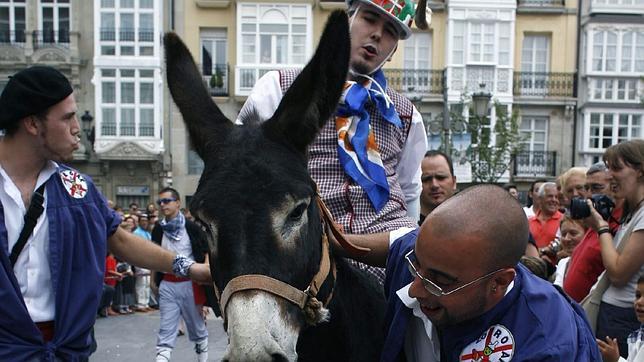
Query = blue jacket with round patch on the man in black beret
x=78 y=231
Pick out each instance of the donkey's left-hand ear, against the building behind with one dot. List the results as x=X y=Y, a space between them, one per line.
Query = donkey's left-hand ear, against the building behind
x=206 y=124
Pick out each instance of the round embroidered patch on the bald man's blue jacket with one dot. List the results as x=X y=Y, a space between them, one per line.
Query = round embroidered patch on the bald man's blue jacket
x=495 y=345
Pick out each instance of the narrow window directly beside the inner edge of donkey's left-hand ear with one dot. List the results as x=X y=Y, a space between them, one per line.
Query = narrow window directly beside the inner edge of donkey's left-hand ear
x=214 y=65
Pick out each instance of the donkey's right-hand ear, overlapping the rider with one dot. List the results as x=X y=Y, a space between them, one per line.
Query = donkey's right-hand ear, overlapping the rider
x=314 y=94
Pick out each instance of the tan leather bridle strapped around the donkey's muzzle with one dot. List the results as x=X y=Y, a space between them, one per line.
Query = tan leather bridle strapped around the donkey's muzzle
x=284 y=290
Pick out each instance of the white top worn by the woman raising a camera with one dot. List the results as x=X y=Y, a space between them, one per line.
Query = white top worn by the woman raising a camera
x=623 y=297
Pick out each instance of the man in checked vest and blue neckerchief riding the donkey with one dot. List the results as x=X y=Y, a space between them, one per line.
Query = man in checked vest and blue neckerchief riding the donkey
x=370 y=186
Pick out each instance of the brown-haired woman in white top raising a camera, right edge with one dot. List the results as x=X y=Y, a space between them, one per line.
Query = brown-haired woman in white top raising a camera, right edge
x=616 y=317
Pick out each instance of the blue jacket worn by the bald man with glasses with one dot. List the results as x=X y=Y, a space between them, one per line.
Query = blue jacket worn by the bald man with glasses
x=533 y=322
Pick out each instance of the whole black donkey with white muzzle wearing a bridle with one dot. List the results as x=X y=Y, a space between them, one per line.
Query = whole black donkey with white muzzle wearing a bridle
x=257 y=203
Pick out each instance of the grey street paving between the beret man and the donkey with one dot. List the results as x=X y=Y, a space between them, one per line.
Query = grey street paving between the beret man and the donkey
x=132 y=338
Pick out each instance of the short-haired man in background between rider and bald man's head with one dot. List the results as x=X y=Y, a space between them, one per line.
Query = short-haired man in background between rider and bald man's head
x=439 y=182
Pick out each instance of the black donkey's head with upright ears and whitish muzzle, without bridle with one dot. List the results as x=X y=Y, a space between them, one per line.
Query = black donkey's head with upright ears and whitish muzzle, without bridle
x=255 y=196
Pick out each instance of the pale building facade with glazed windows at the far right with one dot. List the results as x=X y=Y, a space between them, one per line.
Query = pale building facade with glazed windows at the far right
x=611 y=86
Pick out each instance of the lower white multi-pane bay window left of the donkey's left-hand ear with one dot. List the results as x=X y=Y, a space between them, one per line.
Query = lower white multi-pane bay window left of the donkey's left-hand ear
x=127 y=102
